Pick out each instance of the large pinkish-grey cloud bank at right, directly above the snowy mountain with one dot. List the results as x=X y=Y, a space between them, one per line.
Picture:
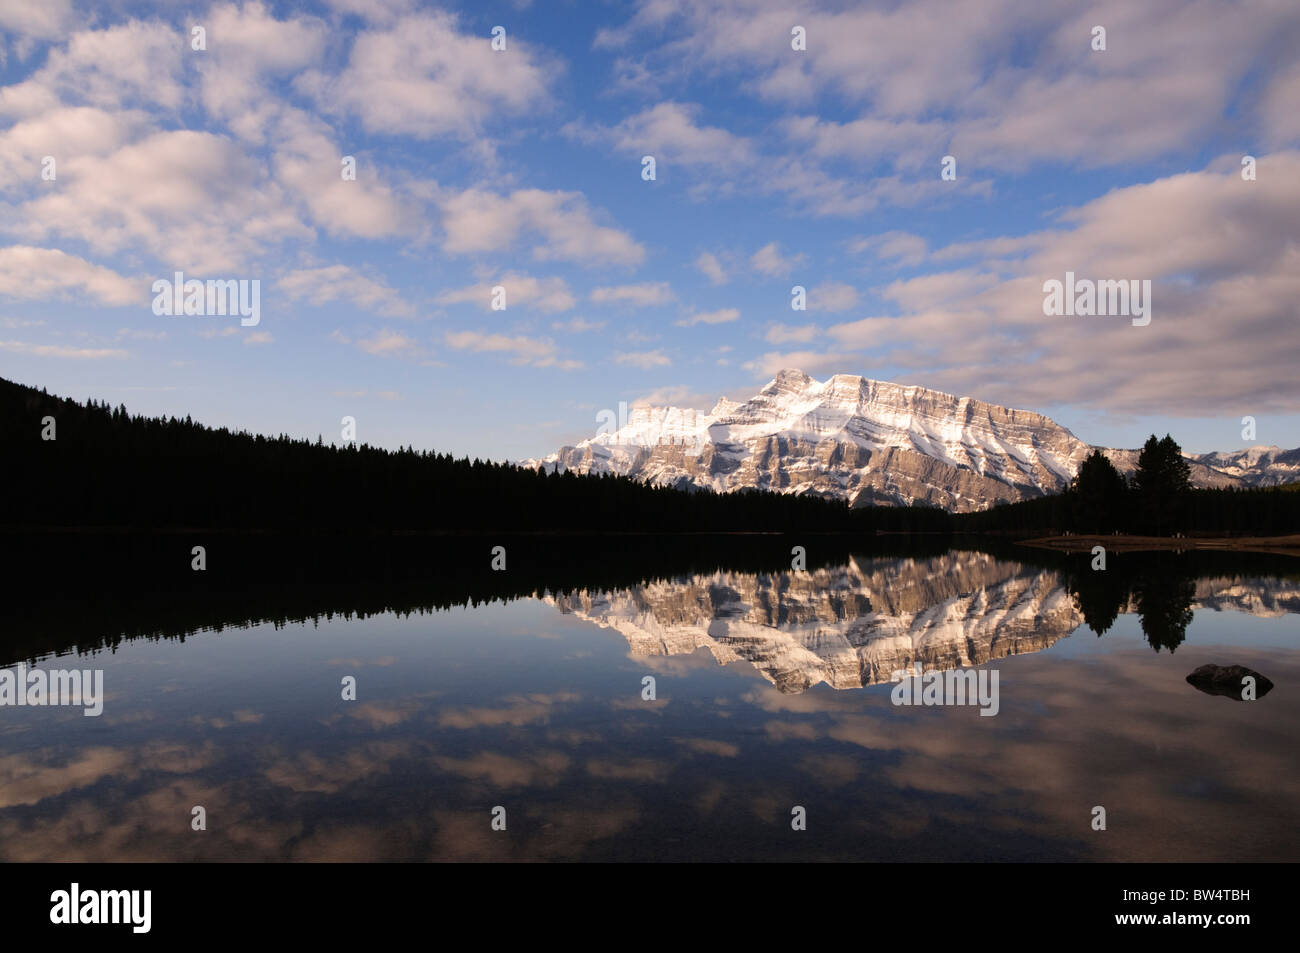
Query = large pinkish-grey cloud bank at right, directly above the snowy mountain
x=1225 y=272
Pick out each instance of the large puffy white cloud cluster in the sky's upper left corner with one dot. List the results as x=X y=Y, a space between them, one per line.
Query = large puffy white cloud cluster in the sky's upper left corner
x=198 y=201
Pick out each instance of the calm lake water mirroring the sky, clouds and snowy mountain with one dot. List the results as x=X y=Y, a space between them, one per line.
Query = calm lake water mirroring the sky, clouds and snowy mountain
x=772 y=694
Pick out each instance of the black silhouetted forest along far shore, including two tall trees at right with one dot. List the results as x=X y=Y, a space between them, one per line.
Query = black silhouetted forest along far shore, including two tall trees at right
x=99 y=467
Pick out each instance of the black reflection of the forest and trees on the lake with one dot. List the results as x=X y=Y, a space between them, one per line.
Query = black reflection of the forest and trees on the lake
x=141 y=586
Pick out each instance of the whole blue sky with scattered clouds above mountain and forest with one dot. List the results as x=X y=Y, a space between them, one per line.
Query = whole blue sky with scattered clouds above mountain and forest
x=775 y=168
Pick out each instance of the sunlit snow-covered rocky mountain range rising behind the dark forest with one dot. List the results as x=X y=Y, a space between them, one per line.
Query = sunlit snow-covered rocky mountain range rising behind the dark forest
x=874 y=443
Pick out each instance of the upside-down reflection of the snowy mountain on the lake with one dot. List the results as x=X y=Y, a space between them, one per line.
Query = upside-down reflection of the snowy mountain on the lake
x=857 y=625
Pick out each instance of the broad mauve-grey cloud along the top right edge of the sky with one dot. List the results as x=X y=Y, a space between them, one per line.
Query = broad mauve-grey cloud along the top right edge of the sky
x=1012 y=86
